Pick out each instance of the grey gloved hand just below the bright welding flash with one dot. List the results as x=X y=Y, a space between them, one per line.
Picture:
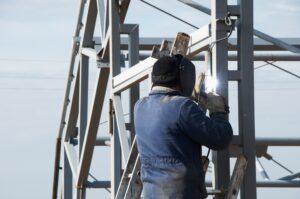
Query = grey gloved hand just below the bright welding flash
x=216 y=103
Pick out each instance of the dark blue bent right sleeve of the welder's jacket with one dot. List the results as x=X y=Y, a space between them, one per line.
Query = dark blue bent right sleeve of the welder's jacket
x=214 y=132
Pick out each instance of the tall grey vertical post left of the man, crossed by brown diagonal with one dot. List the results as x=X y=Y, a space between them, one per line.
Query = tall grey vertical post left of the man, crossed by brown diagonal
x=114 y=60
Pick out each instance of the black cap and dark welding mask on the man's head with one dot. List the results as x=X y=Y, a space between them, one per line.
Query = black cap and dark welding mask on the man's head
x=175 y=70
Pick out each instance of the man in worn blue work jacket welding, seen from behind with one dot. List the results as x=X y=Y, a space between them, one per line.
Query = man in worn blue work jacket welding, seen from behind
x=171 y=129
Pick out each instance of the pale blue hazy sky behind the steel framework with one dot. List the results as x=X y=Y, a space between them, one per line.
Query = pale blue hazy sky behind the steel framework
x=35 y=49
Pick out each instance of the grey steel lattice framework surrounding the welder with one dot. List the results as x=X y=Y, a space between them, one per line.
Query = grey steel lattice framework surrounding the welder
x=77 y=135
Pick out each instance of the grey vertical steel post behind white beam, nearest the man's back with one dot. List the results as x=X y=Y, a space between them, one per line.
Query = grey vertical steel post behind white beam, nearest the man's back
x=134 y=95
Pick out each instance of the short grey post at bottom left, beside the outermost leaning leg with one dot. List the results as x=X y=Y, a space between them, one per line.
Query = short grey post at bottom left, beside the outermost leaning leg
x=67 y=178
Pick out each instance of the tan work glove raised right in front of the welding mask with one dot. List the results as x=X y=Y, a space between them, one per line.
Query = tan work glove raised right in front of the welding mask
x=199 y=94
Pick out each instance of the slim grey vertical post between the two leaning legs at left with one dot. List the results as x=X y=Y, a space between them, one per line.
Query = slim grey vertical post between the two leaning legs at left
x=83 y=109
